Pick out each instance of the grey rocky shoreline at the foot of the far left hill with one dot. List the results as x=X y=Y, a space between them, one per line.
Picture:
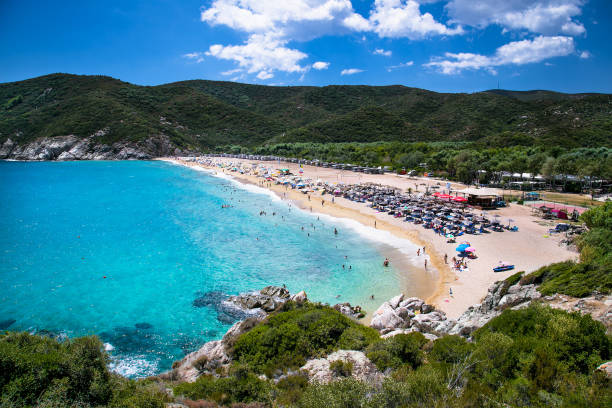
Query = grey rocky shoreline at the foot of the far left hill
x=71 y=147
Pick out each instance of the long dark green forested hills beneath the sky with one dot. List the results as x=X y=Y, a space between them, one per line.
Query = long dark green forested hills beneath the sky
x=206 y=114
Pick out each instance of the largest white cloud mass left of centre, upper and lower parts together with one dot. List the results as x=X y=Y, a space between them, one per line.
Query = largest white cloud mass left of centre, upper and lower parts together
x=271 y=25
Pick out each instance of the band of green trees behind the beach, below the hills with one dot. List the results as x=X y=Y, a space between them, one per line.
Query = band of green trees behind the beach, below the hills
x=460 y=161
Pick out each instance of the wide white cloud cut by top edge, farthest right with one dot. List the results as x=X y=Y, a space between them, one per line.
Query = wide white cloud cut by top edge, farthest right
x=538 y=16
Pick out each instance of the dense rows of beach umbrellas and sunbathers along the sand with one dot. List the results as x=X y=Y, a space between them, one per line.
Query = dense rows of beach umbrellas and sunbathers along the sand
x=446 y=215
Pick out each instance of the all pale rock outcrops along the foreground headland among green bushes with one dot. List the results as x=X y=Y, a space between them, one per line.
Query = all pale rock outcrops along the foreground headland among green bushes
x=399 y=315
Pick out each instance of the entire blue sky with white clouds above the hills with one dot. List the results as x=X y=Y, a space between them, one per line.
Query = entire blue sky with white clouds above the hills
x=441 y=45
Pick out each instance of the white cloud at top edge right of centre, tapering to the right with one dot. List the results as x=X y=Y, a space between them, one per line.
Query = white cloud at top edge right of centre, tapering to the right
x=403 y=18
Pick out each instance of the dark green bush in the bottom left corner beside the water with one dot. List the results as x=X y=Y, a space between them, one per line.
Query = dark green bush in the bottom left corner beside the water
x=39 y=371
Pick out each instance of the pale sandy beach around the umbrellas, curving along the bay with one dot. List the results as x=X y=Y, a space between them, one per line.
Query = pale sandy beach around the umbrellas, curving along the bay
x=528 y=249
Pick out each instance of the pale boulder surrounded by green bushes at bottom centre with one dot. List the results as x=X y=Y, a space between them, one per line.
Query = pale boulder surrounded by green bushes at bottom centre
x=361 y=368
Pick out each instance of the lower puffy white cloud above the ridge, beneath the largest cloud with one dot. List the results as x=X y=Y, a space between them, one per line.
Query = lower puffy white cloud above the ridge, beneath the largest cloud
x=260 y=54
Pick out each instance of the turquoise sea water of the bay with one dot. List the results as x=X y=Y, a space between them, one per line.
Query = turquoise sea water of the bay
x=122 y=250
